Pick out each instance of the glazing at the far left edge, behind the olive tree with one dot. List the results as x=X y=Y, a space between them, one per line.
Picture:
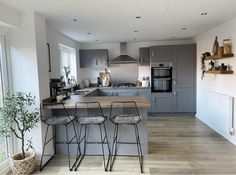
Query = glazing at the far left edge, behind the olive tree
x=3 y=84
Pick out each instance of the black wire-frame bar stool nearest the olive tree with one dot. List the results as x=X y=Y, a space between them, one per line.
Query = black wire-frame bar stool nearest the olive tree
x=63 y=120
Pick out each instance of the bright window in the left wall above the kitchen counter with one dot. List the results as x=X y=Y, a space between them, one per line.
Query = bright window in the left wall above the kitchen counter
x=68 y=61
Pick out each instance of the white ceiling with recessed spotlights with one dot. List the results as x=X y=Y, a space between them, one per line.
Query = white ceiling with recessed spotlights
x=114 y=20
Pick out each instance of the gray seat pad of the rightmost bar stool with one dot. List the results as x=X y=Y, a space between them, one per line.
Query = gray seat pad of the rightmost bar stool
x=126 y=119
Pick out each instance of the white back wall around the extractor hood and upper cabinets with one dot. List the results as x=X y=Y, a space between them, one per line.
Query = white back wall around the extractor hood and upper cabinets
x=124 y=73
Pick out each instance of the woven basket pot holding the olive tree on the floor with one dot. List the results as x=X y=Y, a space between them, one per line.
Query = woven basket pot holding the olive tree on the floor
x=23 y=166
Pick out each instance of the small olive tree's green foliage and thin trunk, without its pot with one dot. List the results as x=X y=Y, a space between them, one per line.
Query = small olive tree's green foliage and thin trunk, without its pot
x=18 y=115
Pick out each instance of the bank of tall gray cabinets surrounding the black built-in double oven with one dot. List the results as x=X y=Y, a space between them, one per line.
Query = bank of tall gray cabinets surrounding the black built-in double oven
x=182 y=97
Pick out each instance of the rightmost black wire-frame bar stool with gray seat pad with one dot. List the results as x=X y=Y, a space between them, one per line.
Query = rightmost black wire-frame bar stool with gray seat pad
x=125 y=113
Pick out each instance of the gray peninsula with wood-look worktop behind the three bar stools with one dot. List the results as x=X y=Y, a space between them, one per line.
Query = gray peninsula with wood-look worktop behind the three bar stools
x=142 y=103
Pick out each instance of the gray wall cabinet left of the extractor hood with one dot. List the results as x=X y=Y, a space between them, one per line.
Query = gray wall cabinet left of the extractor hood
x=93 y=58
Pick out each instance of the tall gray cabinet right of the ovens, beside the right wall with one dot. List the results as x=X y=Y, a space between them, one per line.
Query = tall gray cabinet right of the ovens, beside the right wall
x=184 y=83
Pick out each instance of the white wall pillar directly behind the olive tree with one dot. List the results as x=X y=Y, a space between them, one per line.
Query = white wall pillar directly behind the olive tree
x=29 y=62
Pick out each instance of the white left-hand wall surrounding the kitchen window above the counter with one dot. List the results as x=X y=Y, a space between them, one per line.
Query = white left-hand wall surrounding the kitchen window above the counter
x=54 y=38
